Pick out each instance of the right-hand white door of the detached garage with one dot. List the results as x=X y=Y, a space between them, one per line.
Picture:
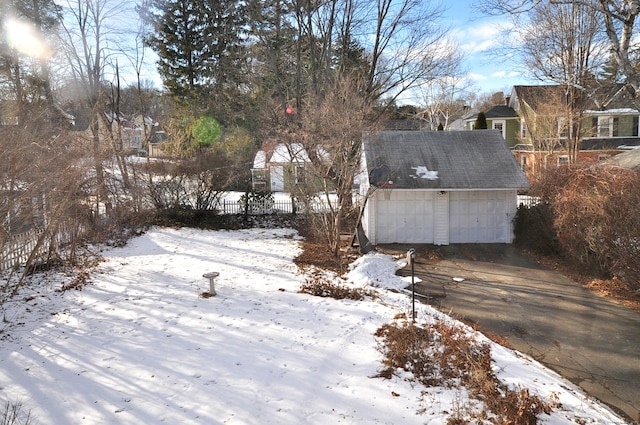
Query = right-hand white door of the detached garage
x=480 y=217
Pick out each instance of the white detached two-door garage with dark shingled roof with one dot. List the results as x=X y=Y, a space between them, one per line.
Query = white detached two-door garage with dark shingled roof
x=439 y=187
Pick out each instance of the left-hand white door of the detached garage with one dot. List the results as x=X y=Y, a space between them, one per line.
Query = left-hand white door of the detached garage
x=407 y=217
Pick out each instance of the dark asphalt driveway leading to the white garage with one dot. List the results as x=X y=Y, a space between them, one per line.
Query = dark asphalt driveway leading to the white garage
x=587 y=339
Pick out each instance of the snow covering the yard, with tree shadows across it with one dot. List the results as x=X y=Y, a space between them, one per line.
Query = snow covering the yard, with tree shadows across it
x=139 y=344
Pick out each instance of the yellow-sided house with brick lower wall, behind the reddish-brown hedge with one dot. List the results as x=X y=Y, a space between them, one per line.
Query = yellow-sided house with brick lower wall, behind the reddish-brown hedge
x=607 y=130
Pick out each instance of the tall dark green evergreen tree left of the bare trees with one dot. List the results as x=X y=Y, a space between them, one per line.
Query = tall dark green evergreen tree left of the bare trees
x=200 y=45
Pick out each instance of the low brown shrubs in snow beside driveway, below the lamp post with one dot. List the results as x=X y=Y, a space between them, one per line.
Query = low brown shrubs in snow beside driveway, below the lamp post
x=445 y=355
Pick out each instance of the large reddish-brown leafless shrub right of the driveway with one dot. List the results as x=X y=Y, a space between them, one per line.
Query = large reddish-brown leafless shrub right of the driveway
x=595 y=218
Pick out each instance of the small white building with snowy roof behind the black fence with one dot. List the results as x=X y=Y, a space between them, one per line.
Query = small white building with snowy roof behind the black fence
x=280 y=168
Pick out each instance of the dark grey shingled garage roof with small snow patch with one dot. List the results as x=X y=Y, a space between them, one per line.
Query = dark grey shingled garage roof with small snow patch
x=477 y=159
